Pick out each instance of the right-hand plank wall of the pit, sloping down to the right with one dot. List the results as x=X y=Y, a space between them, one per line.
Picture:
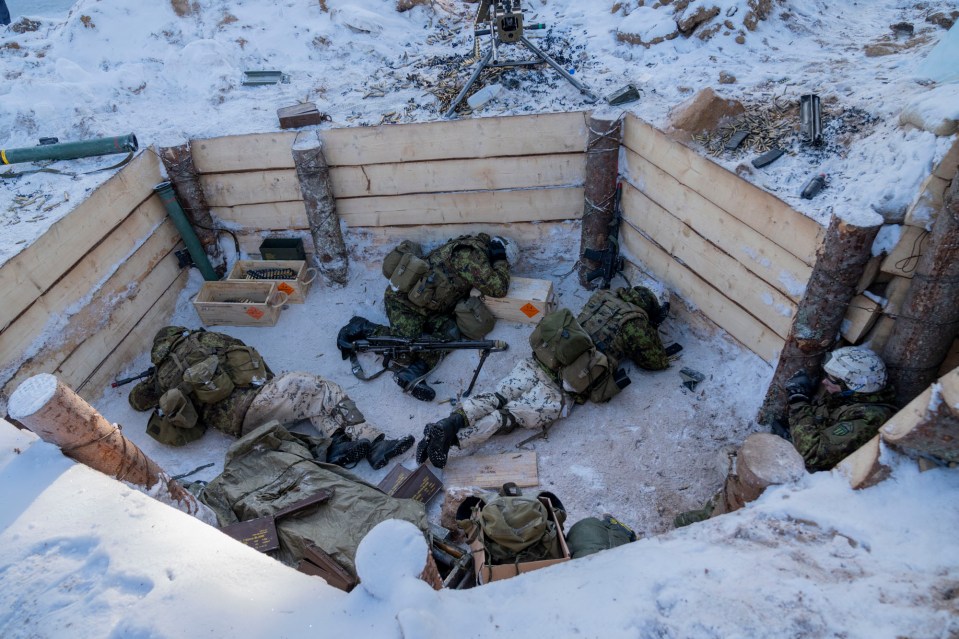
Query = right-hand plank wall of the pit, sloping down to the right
x=739 y=254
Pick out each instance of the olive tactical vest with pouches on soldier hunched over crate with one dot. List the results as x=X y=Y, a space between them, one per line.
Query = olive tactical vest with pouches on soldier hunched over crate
x=431 y=282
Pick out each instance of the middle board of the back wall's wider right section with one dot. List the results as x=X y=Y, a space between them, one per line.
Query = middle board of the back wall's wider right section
x=437 y=176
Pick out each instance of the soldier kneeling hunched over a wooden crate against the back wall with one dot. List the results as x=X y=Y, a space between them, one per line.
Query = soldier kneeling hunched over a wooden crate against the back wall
x=427 y=307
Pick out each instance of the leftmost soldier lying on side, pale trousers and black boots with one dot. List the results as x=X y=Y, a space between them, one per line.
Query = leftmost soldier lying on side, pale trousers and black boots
x=206 y=379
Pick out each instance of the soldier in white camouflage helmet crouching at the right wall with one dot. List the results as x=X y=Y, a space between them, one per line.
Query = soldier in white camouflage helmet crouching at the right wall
x=851 y=405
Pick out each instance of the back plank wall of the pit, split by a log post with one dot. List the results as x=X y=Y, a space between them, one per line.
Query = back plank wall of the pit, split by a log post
x=520 y=170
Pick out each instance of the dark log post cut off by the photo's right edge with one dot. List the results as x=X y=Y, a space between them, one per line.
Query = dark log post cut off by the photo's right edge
x=929 y=321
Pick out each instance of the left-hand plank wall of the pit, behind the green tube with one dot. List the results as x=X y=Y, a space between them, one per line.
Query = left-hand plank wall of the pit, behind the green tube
x=84 y=299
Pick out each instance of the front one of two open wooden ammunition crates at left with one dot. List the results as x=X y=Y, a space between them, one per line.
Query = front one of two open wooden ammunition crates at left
x=239 y=303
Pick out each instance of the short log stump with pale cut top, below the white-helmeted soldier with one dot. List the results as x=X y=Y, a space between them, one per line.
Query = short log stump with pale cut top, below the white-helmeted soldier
x=764 y=460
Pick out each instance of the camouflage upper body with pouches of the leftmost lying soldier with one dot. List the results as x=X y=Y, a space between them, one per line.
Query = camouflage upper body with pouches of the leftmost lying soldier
x=195 y=370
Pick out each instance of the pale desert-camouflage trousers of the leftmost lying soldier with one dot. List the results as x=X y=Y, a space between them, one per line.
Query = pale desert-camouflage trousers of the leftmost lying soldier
x=293 y=397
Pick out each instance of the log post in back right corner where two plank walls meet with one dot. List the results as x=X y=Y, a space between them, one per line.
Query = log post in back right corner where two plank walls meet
x=602 y=173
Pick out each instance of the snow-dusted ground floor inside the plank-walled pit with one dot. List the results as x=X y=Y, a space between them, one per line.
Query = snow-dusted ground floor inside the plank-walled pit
x=653 y=451
